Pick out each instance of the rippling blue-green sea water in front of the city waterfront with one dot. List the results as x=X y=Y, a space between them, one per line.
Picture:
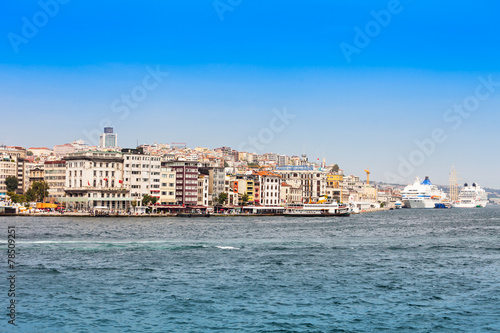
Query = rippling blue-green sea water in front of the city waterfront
x=393 y=271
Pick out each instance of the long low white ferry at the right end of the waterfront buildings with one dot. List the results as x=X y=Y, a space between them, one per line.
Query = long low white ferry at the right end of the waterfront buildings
x=317 y=209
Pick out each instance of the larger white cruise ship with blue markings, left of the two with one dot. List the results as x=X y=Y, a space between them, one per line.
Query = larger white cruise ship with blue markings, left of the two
x=422 y=194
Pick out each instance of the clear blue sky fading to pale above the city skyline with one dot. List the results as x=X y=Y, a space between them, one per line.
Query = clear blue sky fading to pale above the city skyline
x=407 y=88
